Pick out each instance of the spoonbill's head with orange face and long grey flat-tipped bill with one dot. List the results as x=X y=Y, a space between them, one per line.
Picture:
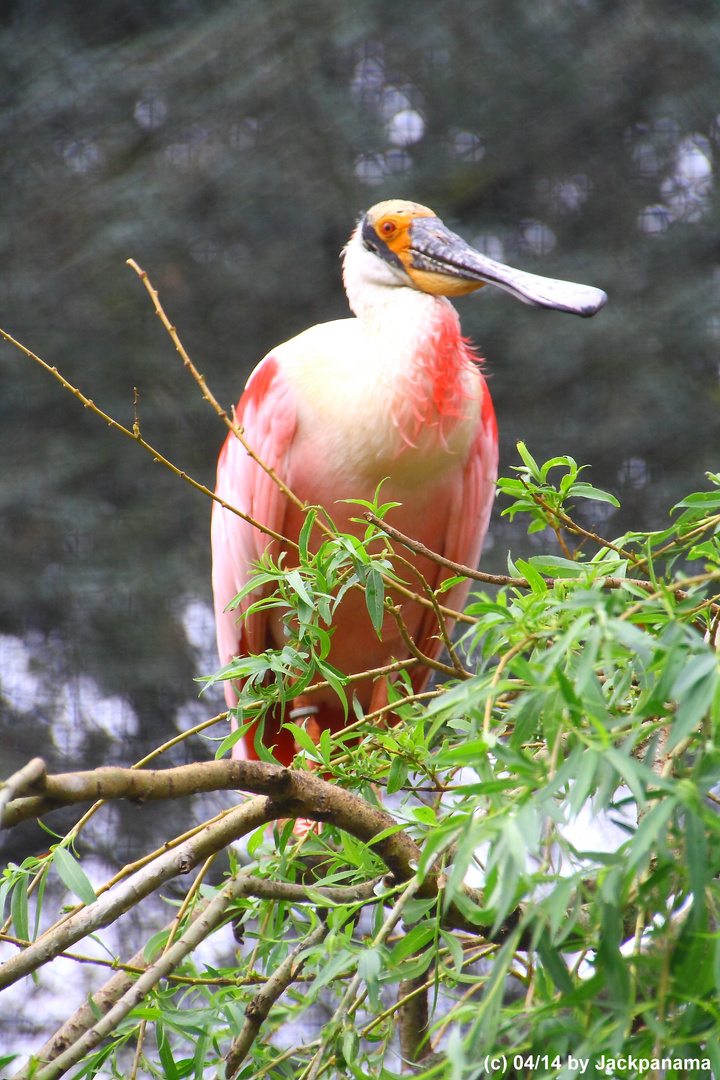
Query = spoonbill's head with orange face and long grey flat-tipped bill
x=401 y=244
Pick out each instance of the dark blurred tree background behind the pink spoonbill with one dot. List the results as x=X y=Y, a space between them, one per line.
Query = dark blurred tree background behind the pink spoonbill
x=228 y=146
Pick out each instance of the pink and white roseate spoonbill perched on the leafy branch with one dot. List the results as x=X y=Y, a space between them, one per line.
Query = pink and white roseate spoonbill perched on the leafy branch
x=393 y=393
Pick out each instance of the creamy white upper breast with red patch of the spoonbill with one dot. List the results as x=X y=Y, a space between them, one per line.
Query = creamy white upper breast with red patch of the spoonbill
x=370 y=408
